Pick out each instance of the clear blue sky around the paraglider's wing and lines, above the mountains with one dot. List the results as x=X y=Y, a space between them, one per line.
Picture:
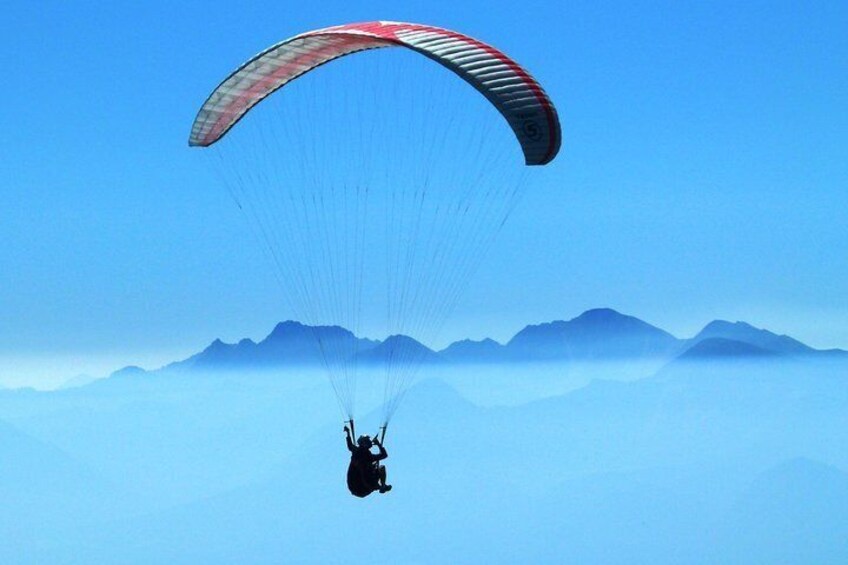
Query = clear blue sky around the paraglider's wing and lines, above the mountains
x=703 y=173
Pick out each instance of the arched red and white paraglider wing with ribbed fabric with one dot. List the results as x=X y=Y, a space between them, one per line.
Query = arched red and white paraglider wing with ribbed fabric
x=516 y=94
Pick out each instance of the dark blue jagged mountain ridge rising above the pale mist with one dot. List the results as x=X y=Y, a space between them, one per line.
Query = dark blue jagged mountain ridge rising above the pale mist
x=597 y=334
